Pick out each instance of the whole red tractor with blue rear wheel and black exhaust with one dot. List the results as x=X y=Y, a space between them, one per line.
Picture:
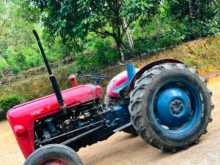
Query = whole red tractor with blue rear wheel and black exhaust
x=165 y=103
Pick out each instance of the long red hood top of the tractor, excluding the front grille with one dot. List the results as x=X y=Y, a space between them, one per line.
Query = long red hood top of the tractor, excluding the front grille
x=48 y=104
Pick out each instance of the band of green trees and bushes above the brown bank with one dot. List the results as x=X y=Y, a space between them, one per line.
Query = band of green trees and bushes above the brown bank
x=91 y=31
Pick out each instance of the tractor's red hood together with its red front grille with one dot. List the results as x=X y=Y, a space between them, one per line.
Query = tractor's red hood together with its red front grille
x=22 y=117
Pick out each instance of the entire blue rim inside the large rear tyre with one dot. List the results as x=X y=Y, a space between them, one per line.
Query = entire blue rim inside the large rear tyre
x=180 y=120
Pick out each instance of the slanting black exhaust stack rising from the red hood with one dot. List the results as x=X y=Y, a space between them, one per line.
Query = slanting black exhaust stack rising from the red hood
x=52 y=78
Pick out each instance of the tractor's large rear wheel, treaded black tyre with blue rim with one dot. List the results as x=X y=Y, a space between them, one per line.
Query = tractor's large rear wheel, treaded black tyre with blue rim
x=170 y=107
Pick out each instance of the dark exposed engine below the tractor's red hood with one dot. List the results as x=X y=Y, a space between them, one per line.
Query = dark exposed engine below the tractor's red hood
x=66 y=129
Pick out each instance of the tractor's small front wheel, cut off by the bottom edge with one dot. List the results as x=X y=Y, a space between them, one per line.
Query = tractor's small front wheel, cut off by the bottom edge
x=56 y=154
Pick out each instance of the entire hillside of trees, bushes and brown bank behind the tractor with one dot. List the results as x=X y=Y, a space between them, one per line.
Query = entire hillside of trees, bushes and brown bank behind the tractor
x=100 y=37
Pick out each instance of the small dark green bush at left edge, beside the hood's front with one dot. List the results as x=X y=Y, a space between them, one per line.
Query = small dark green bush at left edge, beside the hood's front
x=8 y=102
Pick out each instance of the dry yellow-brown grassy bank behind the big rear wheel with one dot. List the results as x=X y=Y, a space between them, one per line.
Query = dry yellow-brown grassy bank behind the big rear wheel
x=202 y=54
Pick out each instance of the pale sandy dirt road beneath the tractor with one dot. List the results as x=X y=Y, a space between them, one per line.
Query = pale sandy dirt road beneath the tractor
x=122 y=149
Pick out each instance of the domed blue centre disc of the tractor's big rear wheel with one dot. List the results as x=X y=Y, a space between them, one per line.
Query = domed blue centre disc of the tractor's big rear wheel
x=173 y=107
